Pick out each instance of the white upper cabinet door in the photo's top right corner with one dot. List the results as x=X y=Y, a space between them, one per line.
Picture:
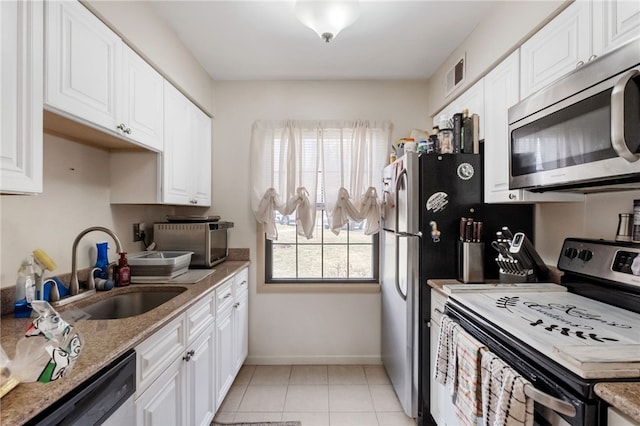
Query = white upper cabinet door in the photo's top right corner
x=615 y=22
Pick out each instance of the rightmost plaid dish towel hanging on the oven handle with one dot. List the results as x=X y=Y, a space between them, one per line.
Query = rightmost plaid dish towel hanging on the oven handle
x=504 y=402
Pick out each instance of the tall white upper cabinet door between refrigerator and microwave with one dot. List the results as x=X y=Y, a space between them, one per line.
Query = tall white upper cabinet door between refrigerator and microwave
x=502 y=92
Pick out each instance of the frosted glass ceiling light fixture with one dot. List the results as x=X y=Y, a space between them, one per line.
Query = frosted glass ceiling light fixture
x=327 y=18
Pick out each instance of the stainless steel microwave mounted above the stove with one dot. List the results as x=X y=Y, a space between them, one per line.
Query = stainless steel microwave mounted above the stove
x=581 y=132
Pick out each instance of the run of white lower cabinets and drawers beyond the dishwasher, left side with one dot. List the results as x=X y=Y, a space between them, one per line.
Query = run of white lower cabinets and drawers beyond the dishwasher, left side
x=185 y=369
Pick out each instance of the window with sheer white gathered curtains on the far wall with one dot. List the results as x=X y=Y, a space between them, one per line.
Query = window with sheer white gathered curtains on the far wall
x=315 y=190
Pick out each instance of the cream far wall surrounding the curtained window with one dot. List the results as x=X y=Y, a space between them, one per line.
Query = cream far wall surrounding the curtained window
x=295 y=327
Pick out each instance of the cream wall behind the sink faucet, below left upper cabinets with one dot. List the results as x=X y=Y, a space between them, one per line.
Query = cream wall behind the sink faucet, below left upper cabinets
x=75 y=196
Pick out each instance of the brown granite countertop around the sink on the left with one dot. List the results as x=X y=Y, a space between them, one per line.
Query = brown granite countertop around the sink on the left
x=104 y=341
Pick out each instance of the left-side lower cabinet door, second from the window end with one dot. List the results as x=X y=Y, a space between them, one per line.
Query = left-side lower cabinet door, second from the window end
x=225 y=363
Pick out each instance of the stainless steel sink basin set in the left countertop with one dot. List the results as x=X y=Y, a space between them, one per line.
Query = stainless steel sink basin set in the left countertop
x=130 y=304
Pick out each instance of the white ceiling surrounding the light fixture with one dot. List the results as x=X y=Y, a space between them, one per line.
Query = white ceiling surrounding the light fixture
x=263 y=40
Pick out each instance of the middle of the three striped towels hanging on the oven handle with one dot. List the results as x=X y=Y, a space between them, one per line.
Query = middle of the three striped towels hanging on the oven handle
x=468 y=400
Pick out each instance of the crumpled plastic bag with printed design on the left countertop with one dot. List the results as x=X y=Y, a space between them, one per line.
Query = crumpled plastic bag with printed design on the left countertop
x=49 y=349
